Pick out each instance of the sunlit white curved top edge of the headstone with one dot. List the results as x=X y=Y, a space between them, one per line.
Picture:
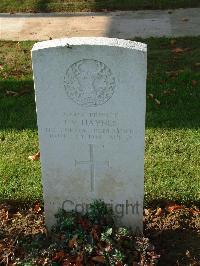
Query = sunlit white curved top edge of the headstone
x=98 y=41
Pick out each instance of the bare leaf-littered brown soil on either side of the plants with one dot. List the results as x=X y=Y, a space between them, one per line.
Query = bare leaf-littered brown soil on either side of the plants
x=174 y=230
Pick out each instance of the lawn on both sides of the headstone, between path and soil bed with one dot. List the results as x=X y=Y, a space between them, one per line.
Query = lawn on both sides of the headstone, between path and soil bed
x=172 y=168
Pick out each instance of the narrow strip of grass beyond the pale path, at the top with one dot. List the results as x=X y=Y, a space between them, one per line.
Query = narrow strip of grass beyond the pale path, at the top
x=91 y=5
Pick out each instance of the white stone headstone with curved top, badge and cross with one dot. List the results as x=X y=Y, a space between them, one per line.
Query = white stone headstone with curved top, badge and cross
x=90 y=97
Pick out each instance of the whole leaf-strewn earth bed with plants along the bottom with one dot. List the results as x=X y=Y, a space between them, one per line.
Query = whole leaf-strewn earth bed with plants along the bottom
x=171 y=237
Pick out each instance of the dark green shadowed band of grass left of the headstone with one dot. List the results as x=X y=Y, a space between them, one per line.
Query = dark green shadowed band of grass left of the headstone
x=17 y=112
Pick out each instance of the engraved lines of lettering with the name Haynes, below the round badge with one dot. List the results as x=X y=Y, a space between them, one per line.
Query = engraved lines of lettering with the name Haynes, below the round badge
x=91 y=127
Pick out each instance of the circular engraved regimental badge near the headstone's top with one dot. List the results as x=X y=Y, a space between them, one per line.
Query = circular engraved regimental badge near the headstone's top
x=89 y=82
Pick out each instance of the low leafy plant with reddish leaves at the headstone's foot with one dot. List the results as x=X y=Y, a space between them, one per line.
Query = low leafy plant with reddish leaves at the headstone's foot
x=79 y=239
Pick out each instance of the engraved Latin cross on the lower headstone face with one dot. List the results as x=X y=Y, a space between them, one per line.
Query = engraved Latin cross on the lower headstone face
x=92 y=163
